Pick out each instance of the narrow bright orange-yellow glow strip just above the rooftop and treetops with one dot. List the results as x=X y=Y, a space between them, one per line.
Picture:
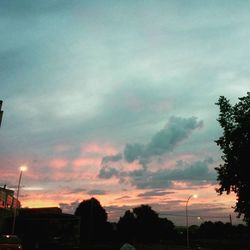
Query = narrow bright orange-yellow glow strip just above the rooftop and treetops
x=205 y=196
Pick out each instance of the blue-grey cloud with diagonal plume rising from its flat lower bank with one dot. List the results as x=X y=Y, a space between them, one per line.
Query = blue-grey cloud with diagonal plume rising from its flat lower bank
x=164 y=141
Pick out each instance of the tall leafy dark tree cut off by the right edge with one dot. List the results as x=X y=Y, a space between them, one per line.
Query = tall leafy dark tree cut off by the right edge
x=234 y=173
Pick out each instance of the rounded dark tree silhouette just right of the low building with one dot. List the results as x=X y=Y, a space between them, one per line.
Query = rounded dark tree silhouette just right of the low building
x=93 y=220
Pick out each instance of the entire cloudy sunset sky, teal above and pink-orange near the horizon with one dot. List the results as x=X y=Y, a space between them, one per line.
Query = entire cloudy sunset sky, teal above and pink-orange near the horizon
x=116 y=100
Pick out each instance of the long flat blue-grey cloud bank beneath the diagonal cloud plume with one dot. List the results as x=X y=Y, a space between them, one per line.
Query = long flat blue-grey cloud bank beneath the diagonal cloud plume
x=198 y=173
